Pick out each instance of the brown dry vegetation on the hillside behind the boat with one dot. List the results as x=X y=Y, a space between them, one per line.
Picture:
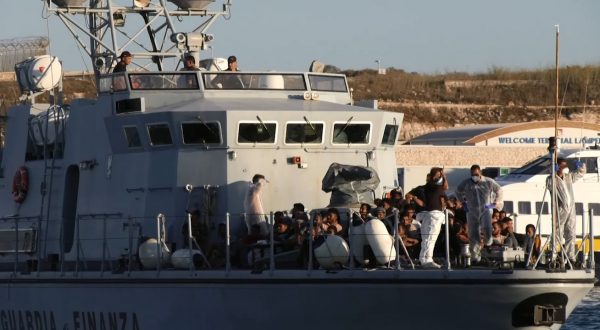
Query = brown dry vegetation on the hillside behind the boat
x=432 y=102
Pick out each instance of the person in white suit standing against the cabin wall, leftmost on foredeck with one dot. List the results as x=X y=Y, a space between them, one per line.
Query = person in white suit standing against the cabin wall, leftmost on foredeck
x=253 y=207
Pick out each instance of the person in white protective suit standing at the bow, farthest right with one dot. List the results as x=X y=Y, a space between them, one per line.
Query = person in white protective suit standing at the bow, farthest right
x=566 y=202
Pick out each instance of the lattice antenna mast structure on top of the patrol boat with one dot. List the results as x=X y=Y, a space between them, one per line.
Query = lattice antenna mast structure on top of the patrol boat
x=149 y=29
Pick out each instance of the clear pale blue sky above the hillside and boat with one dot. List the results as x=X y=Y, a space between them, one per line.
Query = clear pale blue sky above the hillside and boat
x=430 y=36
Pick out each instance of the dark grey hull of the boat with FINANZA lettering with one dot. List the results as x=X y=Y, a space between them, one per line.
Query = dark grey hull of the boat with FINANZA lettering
x=379 y=299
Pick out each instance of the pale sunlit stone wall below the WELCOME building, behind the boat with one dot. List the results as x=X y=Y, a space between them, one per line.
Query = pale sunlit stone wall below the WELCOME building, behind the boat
x=465 y=156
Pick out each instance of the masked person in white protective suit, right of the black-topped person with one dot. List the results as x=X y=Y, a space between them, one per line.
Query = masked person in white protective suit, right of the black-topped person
x=481 y=195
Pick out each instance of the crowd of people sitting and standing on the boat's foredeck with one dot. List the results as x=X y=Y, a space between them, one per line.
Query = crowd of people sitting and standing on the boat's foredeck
x=476 y=222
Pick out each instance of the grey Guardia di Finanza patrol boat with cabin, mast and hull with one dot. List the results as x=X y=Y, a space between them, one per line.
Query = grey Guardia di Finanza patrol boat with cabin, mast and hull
x=96 y=193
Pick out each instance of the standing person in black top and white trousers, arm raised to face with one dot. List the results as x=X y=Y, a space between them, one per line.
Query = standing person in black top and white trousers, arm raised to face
x=433 y=216
